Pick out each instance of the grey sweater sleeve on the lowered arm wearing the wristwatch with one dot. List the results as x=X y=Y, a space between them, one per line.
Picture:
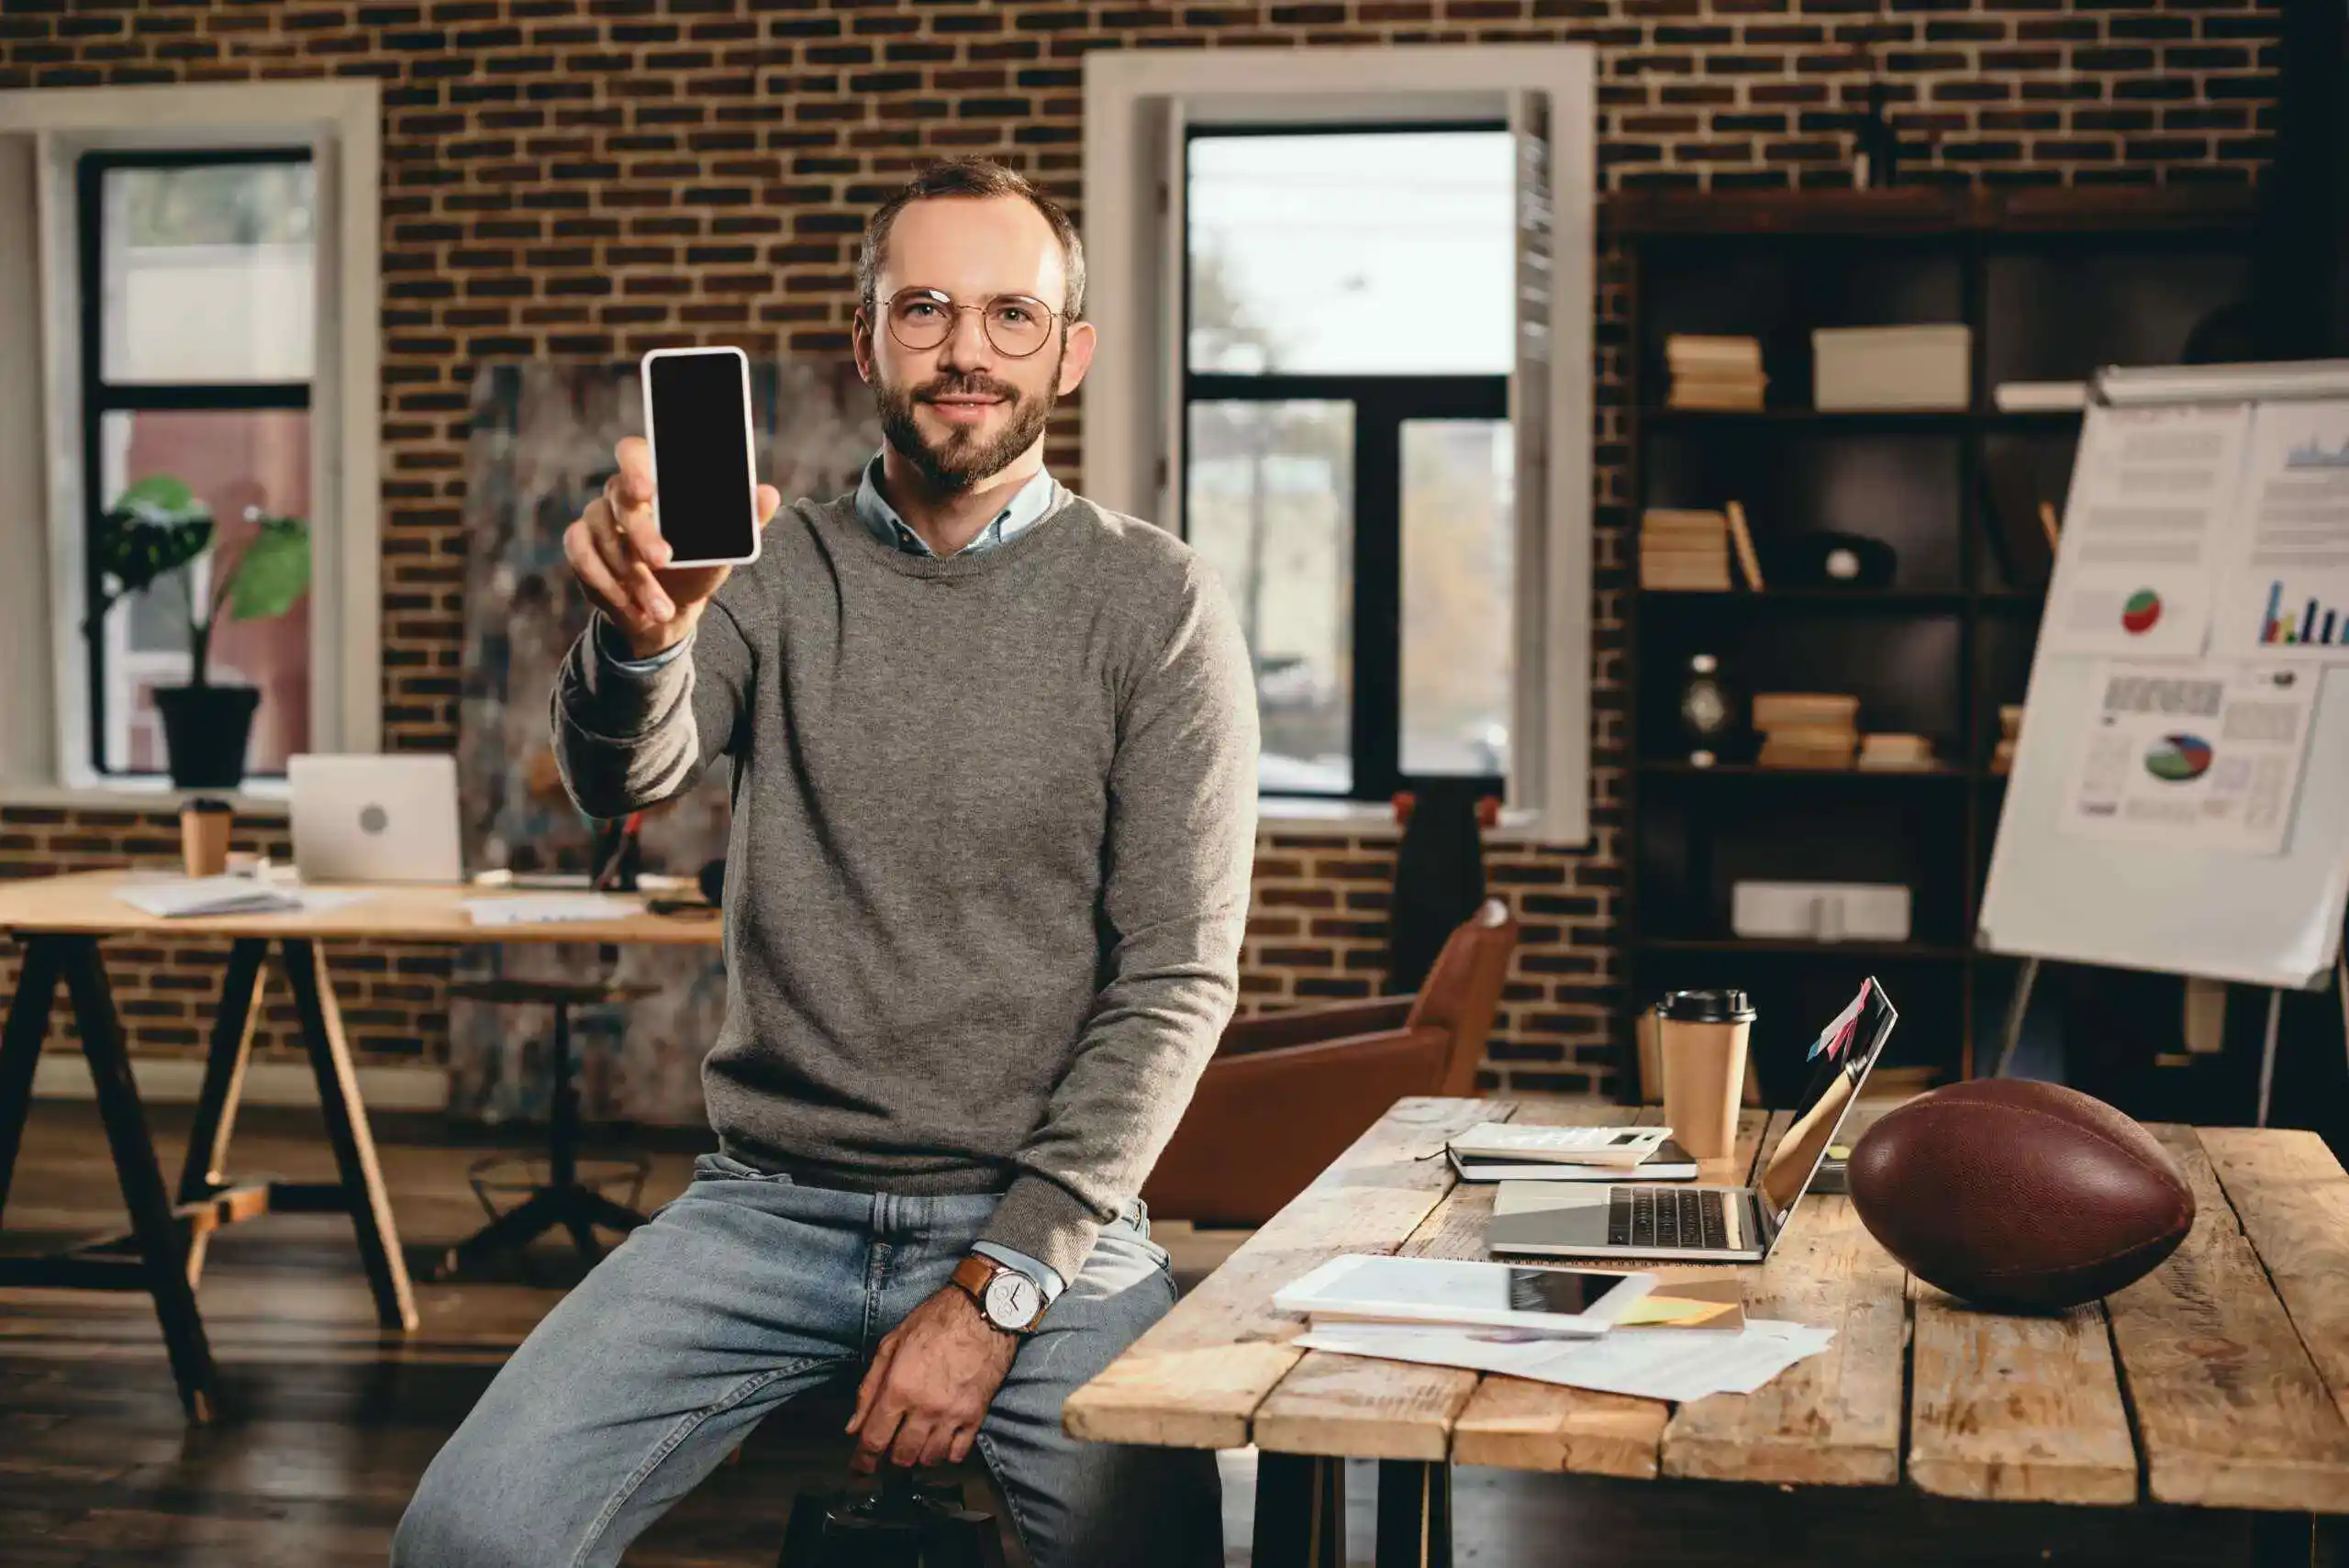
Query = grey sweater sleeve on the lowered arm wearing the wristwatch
x=1180 y=844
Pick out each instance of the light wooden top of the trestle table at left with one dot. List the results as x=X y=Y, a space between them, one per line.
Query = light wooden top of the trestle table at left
x=86 y=903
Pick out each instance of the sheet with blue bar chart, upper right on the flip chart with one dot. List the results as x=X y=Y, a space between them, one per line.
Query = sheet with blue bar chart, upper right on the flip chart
x=2289 y=557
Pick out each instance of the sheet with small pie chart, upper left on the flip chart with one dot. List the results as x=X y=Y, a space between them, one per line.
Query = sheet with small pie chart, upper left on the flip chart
x=2153 y=494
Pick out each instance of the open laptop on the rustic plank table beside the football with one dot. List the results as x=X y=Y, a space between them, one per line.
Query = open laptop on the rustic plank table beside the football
x=1690 y=1224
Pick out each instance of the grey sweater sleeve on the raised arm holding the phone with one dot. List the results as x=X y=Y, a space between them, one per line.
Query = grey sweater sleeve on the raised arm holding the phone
x=635 y=734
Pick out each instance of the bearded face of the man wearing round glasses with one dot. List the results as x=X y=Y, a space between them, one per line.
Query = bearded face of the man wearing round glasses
x=964 y=412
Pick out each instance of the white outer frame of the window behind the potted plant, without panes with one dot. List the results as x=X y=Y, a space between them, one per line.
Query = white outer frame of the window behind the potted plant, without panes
x=46 y=724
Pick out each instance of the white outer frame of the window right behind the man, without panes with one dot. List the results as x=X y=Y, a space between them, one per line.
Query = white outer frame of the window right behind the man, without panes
x=1138 y=107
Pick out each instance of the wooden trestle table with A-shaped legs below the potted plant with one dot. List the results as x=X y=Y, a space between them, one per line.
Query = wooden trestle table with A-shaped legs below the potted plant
x=65 y=919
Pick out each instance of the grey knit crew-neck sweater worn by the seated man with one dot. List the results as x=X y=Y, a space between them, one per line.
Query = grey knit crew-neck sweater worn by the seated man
x=988 y=877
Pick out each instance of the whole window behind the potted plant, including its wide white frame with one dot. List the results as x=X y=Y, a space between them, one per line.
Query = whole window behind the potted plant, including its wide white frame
x=191 y=283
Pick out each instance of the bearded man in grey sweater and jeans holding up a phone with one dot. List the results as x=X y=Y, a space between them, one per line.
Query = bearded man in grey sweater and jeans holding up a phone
x=995 y=811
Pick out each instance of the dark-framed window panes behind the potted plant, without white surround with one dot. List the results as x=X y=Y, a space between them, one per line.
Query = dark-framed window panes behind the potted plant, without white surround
x=198 y=320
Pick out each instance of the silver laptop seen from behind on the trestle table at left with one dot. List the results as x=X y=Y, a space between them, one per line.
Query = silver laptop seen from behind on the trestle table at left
x=375 y=818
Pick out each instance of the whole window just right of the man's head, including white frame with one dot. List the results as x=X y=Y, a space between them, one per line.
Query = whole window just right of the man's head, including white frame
x=1347 y=353
